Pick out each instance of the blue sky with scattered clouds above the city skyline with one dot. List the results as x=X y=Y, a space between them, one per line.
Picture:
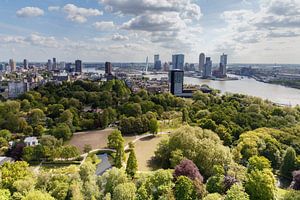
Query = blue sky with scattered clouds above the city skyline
x=249 y=31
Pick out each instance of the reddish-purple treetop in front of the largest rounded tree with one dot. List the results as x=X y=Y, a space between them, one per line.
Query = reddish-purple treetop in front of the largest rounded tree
x=189 y=169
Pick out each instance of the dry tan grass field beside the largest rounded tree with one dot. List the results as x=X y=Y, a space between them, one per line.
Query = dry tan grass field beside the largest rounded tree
x=145 y=149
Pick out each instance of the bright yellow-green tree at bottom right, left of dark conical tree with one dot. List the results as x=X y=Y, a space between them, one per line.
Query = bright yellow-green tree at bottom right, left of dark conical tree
x=261 y=185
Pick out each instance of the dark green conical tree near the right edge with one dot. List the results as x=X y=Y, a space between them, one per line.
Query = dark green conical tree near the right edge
x=288 y=163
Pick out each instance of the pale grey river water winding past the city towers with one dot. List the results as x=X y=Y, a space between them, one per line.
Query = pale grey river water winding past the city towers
x=248 y=86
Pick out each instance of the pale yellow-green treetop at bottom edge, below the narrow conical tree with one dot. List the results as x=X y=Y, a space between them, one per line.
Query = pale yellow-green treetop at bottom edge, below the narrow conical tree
x=124 y=191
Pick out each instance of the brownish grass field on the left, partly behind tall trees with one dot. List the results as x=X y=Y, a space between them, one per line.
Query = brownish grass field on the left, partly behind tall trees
x=97 y=139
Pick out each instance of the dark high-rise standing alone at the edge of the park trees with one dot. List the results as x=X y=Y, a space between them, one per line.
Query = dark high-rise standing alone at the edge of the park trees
x=176 y=81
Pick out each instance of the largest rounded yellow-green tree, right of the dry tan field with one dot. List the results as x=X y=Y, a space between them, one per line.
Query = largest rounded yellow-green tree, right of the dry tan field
x=203 y=147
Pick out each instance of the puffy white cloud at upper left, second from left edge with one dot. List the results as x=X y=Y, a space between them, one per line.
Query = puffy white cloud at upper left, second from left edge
x=78 y=14
